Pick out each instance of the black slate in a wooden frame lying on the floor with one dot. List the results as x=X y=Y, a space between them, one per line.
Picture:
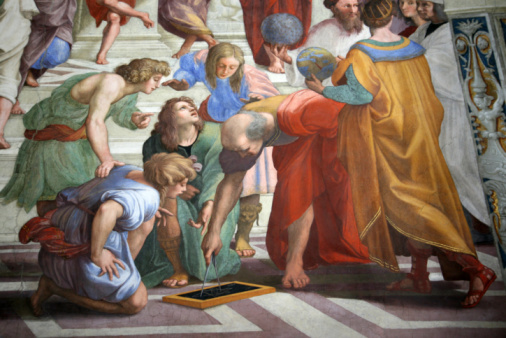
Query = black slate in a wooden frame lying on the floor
x=213 y=295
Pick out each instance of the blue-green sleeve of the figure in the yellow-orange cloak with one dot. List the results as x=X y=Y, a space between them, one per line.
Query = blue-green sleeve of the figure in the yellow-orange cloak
x=351 y=93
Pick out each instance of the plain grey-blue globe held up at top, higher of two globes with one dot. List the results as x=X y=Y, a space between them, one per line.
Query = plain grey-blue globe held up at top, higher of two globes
x=282 y=28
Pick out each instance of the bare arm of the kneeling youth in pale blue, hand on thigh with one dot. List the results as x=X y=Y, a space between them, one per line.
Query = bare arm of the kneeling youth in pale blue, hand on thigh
x=103 y=223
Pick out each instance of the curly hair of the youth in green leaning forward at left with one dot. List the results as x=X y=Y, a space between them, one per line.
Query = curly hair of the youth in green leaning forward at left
x=141 y=70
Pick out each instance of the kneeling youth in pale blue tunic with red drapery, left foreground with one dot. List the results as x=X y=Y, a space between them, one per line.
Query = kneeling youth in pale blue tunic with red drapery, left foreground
x=90 y=241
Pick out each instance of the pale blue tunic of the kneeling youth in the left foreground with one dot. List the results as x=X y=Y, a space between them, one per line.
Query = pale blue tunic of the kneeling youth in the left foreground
x=140 y=203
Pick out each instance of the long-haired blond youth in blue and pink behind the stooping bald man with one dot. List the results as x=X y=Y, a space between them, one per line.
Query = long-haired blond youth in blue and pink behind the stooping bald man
x=232 y=84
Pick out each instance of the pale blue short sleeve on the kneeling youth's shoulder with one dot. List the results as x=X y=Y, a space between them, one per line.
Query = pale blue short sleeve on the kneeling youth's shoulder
x=139 y=206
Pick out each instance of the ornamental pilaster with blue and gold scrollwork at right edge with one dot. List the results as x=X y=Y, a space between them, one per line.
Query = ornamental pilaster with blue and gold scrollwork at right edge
x=479 y=36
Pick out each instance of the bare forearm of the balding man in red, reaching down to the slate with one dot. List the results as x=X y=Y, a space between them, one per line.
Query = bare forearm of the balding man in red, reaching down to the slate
x=227 y=195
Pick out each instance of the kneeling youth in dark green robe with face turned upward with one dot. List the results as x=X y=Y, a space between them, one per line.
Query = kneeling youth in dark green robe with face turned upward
x=172 y=251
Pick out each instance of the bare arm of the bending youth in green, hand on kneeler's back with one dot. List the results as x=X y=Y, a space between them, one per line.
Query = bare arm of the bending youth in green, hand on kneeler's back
x=107 y=90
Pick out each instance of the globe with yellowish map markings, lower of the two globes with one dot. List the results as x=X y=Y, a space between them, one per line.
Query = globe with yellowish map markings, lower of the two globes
x=317 y=61
